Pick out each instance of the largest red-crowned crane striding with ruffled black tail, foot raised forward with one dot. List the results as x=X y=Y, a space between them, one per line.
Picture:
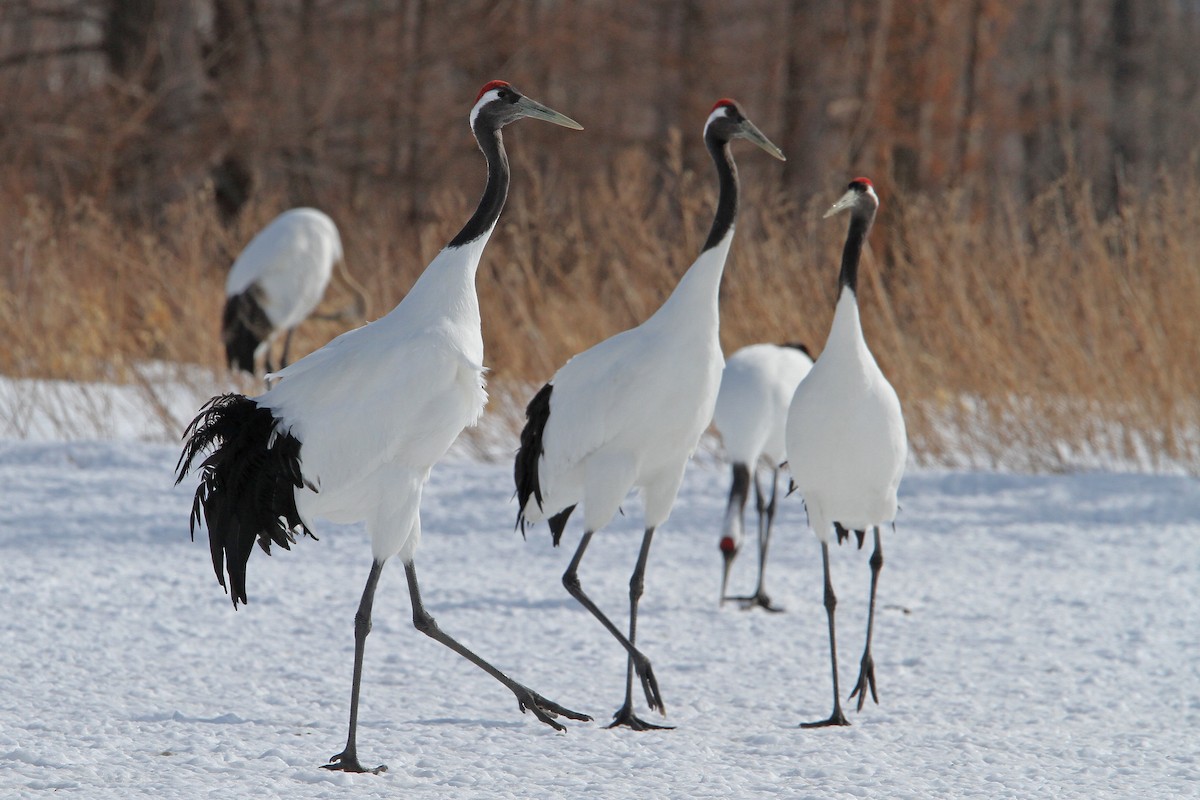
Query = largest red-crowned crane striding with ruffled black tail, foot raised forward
x=351 y=432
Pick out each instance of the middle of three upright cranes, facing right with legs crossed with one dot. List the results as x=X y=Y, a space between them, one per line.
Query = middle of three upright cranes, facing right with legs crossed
x=629 y=412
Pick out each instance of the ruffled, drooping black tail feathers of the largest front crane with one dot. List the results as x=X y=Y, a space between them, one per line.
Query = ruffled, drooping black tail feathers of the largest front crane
x=248 y=484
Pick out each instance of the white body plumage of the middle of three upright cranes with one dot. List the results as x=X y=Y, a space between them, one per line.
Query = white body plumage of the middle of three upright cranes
x=629 y=412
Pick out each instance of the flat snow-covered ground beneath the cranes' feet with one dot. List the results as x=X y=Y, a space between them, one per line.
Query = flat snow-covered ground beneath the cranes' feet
x=1037 y=636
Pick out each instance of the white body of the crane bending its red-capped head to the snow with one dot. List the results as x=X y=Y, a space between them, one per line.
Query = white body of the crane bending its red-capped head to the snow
x=752 y=407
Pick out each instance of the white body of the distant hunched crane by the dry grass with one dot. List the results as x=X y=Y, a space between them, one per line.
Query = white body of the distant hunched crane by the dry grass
x=290 y=263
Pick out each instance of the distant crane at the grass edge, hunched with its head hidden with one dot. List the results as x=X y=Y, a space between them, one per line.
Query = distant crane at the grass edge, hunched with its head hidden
x=278 y=281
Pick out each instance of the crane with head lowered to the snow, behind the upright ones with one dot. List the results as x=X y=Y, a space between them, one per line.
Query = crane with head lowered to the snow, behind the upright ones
x=751 y=416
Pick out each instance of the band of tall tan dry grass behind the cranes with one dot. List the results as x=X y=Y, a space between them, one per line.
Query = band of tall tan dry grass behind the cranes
x=1027 y=334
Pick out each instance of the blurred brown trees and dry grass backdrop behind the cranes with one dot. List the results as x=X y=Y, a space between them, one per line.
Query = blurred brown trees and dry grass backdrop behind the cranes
x=1033 y=285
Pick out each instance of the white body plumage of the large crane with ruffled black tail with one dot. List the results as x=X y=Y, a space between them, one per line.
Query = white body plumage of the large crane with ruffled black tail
x=377 y=407
